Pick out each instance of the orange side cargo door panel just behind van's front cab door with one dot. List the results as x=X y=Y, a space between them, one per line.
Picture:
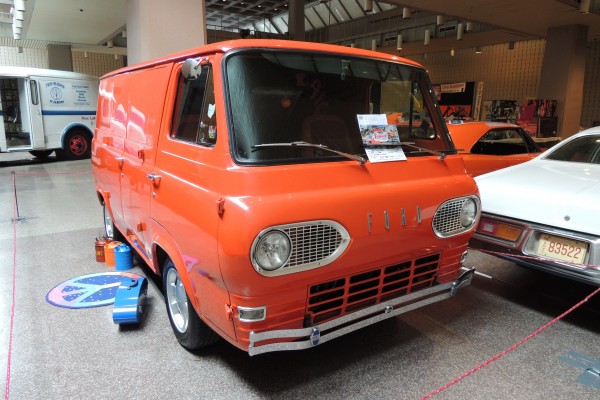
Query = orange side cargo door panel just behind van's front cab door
x=147 y=90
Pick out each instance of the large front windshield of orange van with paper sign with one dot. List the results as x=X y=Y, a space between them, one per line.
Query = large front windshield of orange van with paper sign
x=279 y=99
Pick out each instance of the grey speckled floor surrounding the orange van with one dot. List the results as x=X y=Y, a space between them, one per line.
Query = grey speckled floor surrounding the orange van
x=49 y=352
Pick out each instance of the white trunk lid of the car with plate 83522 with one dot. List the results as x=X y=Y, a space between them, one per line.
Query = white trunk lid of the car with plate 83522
x=555 y=193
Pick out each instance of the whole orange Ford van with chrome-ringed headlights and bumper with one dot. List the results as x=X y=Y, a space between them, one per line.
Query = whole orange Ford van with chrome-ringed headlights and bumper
x=288 y=193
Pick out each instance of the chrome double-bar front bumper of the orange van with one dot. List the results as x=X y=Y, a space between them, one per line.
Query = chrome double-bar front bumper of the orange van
x=305 y=338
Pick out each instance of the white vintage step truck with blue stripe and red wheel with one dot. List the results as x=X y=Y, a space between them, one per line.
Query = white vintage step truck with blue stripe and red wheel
x=43 y=110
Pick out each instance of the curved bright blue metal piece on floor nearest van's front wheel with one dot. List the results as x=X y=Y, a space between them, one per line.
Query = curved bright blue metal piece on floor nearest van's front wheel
x=128 y=306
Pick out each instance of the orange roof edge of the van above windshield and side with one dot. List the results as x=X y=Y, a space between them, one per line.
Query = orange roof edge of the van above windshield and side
x=222 y=47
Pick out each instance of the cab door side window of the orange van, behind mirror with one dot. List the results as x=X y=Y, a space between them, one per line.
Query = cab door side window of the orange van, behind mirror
x=194 y=118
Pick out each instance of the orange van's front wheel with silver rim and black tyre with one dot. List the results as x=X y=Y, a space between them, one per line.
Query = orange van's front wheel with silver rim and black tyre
x=191 y=332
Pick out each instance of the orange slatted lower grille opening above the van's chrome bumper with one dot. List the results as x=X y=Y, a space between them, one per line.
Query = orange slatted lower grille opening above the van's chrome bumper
x=335 y=298
